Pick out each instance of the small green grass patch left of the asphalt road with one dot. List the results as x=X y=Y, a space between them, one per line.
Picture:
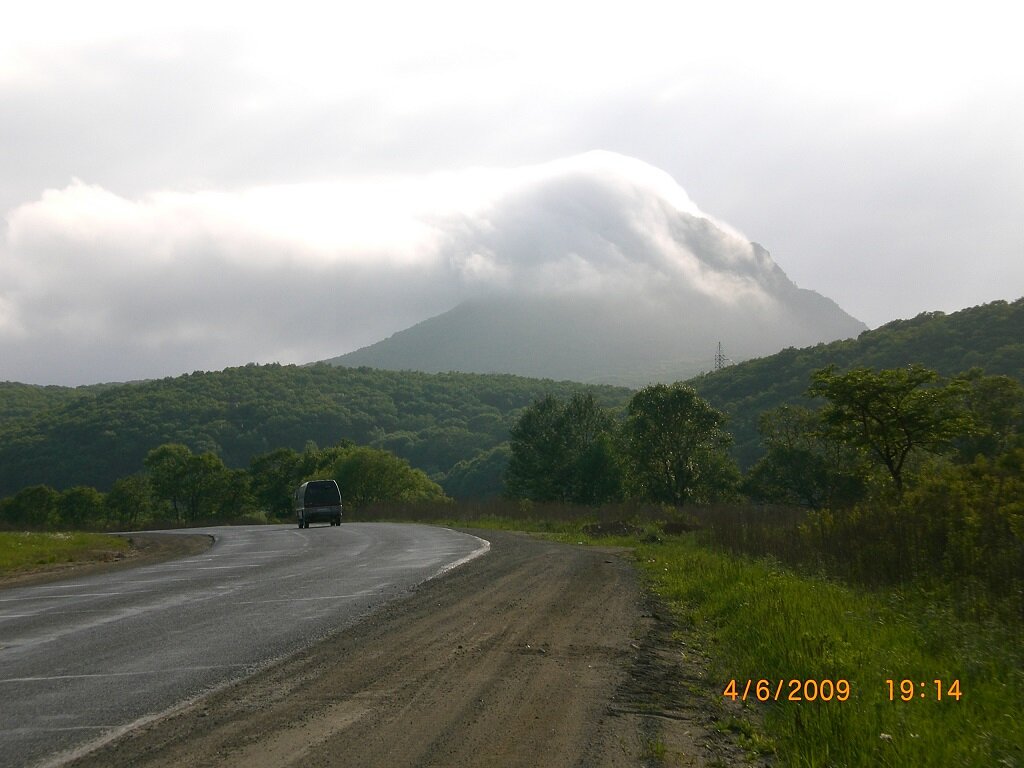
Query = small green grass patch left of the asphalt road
x=23 y=551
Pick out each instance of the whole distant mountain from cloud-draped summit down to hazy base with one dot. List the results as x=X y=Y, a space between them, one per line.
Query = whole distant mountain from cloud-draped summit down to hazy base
x=605 y=272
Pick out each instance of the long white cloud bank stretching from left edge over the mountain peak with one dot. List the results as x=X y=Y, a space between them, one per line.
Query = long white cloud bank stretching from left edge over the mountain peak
x=95 y=286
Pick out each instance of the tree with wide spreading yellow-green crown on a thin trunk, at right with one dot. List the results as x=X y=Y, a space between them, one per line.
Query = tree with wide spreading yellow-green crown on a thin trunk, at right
x=892 y=414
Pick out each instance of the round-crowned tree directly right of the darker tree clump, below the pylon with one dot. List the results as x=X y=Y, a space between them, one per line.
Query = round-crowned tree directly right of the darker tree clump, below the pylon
x=677 y=448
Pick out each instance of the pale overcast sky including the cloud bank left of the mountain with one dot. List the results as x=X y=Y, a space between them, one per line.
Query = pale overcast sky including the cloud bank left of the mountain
x=166 y=174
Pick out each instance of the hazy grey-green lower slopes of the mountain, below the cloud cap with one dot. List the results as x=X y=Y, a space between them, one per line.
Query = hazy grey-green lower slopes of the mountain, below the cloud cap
x=590 y=340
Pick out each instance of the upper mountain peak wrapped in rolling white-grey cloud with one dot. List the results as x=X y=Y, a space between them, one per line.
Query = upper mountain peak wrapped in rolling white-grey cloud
x=599 y=223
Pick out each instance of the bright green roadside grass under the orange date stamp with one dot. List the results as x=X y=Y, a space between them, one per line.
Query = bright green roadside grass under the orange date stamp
x=762 y=622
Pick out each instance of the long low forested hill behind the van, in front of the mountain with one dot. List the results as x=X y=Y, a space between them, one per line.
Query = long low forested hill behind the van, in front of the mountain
x=94 y=436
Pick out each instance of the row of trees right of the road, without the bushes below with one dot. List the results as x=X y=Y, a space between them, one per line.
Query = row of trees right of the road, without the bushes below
x=873 y=435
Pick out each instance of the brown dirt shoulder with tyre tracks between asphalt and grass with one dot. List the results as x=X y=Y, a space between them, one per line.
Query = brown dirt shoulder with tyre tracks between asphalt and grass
x=535 y=655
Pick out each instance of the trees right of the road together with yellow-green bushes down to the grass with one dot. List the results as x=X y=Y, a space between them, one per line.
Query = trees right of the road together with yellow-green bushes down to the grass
x=904 y=474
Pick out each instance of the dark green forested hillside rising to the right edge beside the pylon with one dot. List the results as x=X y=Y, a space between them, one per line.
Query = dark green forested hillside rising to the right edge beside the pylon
x=990 y=337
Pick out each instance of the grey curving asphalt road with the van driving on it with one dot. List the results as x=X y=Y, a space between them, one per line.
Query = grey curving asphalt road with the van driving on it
x=82 y=661
